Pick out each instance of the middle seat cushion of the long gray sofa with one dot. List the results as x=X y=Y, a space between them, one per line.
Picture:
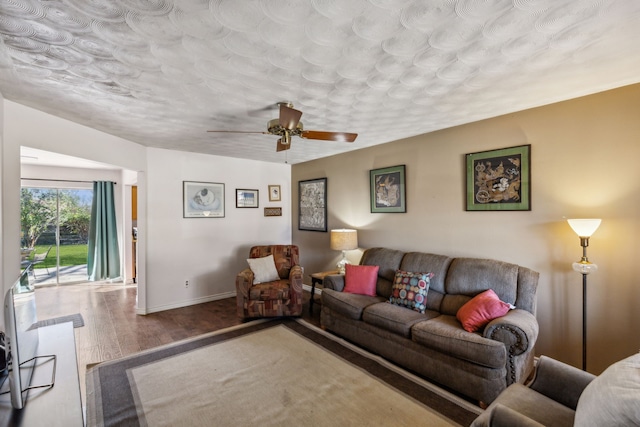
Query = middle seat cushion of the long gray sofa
x=394 y=318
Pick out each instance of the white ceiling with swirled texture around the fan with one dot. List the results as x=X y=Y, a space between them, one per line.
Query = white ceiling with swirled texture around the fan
x=163 y=72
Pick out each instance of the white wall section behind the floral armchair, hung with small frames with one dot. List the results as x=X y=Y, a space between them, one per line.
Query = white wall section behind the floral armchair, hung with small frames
x=208 y=252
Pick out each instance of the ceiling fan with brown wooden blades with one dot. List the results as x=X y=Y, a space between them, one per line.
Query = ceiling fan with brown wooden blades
x=289 y=124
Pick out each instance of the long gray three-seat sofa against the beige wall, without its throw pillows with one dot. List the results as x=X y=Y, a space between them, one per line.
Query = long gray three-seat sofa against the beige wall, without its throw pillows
x=434 y=344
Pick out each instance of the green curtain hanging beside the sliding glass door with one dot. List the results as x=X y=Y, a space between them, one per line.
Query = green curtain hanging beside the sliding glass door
x=103 y=261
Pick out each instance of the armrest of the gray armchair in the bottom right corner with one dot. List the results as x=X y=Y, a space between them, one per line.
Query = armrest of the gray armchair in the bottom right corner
x=559 y=381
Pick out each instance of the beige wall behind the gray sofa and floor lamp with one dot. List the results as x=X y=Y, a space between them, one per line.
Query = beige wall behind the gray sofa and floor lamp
x=584 y=163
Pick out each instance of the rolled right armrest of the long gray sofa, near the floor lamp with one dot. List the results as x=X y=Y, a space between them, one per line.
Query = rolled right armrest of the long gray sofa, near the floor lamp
x=518 y=330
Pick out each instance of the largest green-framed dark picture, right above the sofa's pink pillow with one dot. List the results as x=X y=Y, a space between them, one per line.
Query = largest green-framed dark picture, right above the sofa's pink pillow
x=499 y=180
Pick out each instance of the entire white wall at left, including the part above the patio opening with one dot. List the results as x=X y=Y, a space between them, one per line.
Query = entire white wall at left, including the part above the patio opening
x=172 y=249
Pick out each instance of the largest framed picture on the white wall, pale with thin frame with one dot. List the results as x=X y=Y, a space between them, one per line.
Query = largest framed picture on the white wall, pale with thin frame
x=202 y=199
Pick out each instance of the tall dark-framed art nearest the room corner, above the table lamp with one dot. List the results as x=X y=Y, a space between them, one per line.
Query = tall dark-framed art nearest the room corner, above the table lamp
x=312 y=205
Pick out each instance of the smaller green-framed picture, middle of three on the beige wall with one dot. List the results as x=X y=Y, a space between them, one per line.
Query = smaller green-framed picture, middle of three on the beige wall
x=388 y=189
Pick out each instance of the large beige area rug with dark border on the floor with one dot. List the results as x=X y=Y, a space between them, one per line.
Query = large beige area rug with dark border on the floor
x=278 y=372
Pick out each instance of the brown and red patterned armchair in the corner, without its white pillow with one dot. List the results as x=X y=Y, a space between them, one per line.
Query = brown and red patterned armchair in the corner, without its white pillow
x=271 y=299
